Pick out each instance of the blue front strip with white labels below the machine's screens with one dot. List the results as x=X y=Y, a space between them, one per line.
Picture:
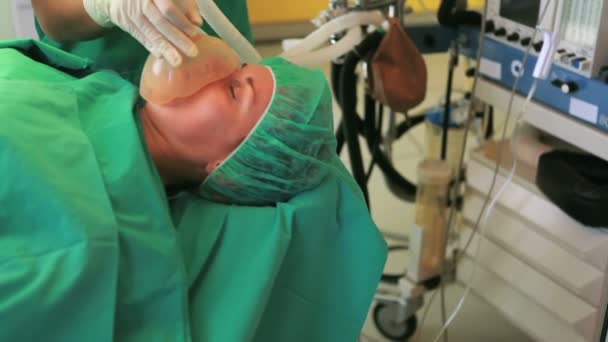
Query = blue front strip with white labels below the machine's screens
x=565 y=91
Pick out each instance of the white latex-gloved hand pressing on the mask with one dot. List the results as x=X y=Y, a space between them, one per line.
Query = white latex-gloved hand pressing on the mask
x=161 y=26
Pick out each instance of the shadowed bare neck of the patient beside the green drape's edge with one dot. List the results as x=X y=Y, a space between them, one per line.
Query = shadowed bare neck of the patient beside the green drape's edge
x=167 y=163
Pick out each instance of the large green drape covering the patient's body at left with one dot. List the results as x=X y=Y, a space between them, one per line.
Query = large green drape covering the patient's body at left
x=88 y=251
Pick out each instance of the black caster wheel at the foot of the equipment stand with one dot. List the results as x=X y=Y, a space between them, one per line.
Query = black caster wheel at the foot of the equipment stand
x=384 y=318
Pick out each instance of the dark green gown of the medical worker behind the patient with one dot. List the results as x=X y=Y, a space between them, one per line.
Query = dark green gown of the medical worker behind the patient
x=118 y=51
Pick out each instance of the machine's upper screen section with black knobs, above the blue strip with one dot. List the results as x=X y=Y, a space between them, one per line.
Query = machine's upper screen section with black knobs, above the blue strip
x=583 y=47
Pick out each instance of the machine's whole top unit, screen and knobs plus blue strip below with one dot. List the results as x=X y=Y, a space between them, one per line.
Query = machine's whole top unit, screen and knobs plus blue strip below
x=577 y=83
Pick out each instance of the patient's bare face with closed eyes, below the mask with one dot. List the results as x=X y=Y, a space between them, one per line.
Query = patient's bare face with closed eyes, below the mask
x=207 y=126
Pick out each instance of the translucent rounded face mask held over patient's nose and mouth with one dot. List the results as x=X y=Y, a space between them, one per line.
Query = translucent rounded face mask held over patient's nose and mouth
x=161 y=84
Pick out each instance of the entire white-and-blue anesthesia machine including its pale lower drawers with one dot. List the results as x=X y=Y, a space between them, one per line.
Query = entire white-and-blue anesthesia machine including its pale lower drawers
x=540 y=268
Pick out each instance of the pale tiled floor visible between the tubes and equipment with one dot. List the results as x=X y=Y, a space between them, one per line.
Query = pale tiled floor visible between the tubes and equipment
x=477 y=322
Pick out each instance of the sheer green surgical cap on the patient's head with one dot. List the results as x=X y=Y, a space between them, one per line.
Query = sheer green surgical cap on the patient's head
x=289 y=151
